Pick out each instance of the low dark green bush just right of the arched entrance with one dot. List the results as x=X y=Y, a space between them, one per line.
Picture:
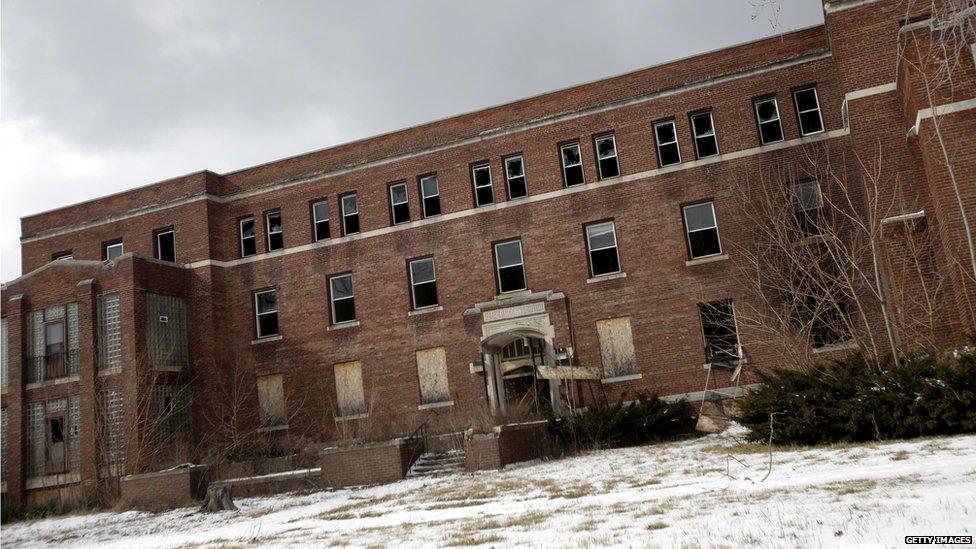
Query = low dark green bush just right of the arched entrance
x=605 y=425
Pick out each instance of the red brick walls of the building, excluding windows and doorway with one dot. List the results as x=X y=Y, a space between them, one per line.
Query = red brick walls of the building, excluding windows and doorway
x=864 y=105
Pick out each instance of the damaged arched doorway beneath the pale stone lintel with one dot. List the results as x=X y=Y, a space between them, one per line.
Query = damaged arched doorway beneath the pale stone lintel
x=512 y=360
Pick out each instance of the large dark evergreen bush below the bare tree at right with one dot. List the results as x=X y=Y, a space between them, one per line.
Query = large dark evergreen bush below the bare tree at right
x=856 y=399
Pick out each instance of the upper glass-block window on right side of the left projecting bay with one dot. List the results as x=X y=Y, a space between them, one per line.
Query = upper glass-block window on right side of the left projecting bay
x=166 y=325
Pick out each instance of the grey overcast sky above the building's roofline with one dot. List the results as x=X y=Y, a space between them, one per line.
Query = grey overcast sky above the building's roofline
x=101 y=96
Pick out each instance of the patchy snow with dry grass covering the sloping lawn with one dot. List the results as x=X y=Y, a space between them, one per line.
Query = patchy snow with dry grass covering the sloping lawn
x=684 y=494
